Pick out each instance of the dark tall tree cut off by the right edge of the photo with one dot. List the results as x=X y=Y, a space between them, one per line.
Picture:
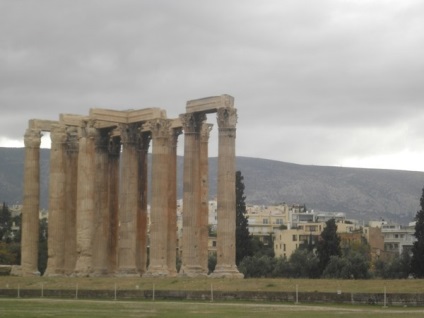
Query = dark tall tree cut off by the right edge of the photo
x=417 y=261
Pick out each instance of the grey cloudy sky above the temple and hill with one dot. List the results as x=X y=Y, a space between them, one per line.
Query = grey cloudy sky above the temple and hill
x=329 y=82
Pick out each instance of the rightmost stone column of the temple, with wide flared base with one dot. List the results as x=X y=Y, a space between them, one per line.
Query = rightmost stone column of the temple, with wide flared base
x=226 y=195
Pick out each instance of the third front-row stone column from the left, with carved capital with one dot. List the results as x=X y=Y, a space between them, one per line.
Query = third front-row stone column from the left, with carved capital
x=85 y=199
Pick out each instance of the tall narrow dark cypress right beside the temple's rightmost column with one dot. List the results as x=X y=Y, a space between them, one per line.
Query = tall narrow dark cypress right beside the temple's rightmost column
x=243 y=239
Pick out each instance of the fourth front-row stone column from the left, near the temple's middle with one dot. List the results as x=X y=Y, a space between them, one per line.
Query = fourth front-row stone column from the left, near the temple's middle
x=128 y=200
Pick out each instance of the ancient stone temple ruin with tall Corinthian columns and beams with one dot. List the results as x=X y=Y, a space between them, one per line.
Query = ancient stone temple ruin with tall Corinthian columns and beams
x=98 y=192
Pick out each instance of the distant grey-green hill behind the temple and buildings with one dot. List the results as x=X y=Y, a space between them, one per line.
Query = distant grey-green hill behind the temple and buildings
x=363 y=194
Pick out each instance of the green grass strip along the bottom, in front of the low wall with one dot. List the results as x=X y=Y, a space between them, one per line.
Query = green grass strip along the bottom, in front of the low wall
x=88 y=308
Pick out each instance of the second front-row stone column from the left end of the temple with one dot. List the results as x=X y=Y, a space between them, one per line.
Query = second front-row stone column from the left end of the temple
x=57 y=190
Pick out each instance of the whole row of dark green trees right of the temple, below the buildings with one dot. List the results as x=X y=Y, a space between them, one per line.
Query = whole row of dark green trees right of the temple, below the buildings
x=326 y=259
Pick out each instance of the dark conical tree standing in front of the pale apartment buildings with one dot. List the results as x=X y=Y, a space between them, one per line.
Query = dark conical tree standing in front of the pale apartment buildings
x=328 y=245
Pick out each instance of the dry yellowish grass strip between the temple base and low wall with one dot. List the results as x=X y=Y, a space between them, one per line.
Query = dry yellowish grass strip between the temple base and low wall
x=128 y=283
